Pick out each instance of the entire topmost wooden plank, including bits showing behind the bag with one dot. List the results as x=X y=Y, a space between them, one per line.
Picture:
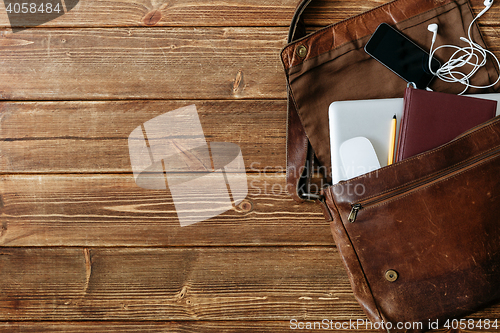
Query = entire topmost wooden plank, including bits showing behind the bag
x=100 y=13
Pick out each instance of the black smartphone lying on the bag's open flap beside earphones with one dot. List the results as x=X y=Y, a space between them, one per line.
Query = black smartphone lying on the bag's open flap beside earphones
x=402 y=56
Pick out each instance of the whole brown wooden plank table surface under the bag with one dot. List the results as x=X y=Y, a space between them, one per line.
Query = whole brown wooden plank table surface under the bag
x=83 y=248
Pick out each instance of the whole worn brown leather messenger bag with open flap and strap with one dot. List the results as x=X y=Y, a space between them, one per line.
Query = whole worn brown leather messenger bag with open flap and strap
x=419 y=238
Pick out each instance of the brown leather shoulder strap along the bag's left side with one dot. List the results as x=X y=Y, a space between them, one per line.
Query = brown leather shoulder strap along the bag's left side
x=300 y=155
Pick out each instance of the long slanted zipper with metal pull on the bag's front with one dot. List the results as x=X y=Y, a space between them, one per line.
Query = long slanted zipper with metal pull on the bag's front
x=416 y=185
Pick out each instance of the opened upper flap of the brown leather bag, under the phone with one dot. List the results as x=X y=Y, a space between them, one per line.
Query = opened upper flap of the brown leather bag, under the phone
x=336 y=67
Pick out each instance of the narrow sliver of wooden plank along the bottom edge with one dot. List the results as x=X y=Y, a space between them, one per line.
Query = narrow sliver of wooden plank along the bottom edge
x=192 y=327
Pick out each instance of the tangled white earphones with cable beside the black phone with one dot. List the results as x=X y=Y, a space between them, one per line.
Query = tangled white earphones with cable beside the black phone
x=473 y=55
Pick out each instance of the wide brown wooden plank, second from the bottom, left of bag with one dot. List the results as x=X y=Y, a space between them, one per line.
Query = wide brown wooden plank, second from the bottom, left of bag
x=276 y=283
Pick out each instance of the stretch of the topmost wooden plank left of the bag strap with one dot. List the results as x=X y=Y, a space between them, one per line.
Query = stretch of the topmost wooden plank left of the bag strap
x=100 y=13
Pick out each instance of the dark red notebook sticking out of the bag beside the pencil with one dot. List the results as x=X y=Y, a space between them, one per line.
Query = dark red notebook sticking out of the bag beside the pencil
x=431 y=119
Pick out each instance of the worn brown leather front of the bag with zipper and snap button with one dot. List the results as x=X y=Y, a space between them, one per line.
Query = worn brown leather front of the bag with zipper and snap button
x=434 y=220
